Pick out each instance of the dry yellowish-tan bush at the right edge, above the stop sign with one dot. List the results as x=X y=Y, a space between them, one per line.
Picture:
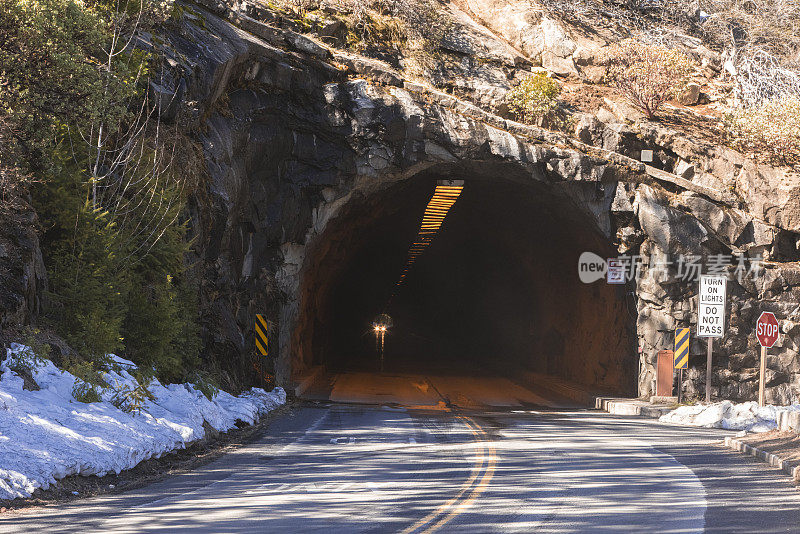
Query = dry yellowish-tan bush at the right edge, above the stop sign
x=770 y=130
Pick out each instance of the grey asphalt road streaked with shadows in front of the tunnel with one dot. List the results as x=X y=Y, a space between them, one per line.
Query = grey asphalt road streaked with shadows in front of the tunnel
x=349 y=468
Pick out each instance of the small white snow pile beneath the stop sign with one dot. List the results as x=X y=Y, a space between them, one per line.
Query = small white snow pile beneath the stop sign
x=729 y=415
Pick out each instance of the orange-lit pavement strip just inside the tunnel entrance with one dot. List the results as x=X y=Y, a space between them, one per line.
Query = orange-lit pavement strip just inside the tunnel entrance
x=430 y=390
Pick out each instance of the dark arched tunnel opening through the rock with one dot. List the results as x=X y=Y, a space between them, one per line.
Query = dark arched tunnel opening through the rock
x=495 y=294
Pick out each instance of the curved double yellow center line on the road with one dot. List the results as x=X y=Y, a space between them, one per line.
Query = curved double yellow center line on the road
x=481 y=475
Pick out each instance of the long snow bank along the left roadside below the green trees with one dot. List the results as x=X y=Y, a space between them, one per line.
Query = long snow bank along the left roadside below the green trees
x=46 y=435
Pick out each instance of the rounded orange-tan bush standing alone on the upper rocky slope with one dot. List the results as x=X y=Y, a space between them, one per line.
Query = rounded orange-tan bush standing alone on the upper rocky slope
x=649 y=75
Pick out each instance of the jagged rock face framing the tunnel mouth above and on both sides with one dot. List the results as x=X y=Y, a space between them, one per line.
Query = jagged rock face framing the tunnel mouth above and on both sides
x=294 y=131
